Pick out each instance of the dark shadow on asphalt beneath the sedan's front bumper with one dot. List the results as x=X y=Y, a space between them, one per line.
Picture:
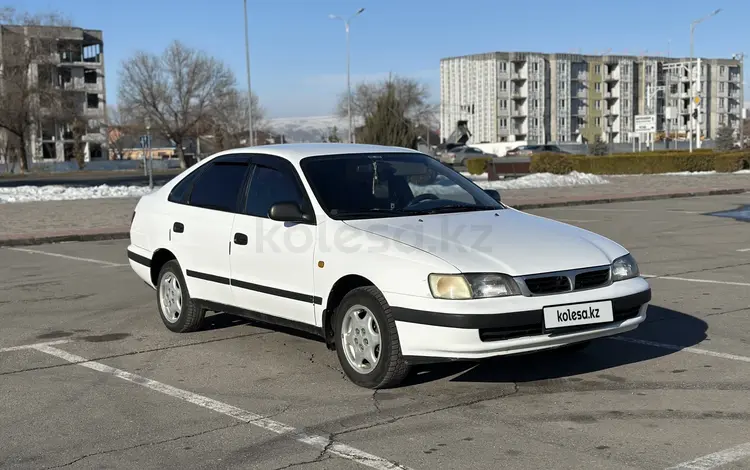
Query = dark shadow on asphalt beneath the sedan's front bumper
x=662 y=325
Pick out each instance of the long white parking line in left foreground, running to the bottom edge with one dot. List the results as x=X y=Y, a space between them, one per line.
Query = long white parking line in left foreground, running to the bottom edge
x=319 y=442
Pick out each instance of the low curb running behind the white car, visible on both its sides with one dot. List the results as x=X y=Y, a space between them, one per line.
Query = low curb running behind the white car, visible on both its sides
x=119 y=234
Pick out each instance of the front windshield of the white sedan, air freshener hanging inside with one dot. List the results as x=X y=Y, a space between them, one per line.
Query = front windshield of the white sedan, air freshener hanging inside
x=357 y=186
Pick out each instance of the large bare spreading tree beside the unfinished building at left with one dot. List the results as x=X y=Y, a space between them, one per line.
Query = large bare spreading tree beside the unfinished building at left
x=176 y=91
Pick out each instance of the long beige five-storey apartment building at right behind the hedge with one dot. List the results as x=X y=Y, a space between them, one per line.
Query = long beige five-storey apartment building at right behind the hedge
x=538 y=98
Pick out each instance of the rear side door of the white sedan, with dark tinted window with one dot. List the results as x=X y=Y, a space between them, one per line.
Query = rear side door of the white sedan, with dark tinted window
x=203 y=212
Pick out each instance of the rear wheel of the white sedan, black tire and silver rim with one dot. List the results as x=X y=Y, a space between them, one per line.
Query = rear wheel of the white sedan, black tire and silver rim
x=190 y=316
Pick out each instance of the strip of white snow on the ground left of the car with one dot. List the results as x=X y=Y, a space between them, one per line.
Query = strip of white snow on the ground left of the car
x=65 y=193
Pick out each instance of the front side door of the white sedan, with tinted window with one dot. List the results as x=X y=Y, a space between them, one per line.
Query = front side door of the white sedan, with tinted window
x=272 y=262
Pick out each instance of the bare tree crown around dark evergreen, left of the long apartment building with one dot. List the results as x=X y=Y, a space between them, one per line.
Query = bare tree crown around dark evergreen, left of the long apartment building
x=412 y=95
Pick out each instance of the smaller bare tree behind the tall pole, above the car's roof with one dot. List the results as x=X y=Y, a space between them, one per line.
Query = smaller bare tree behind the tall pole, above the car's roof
x=229 y=119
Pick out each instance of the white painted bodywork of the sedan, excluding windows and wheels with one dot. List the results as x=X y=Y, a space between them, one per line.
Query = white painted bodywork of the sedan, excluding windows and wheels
x=396 y=254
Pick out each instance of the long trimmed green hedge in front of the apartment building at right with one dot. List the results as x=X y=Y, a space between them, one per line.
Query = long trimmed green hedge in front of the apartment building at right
x=642 y=163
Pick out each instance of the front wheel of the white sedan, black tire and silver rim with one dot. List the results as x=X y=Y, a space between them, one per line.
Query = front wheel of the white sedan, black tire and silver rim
x=391 y=368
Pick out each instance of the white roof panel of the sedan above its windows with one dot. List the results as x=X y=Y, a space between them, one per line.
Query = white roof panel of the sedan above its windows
x=296 y=152
